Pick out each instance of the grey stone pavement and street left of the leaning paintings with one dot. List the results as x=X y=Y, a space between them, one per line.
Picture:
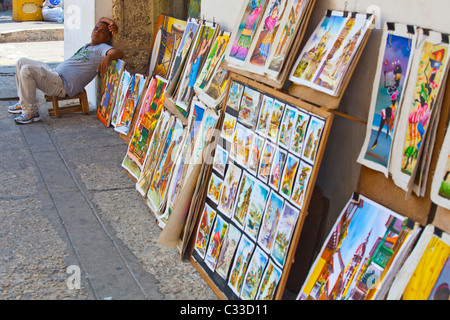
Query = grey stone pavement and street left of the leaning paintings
x=66 y=201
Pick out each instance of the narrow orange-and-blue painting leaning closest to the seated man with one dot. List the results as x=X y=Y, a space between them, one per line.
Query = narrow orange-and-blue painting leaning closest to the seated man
x=109 y=91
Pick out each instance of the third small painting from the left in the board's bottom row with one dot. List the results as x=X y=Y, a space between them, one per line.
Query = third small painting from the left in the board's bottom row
x=229 y=246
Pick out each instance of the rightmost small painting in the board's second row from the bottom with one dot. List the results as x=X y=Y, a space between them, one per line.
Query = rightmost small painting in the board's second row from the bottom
x=283 y=234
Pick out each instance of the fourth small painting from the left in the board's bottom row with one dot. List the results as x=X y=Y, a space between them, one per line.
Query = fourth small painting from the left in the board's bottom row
x=240 y=264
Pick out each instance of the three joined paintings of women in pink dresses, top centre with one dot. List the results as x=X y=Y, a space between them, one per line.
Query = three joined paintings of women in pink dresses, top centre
x=265 y=34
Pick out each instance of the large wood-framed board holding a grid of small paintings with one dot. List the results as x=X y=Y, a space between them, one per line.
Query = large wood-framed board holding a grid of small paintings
x=258 y=190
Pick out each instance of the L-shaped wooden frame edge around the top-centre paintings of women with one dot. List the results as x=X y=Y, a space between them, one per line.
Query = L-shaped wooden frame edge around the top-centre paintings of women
x=290 y=56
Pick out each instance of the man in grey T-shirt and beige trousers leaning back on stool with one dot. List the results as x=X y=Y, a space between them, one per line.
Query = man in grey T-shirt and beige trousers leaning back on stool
x=69 y=78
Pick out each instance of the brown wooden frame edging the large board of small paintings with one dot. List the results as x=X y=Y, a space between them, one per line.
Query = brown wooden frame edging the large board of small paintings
x=217 y=283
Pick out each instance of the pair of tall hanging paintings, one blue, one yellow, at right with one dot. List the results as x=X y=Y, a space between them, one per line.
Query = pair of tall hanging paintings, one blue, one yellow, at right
x=406 y=105
